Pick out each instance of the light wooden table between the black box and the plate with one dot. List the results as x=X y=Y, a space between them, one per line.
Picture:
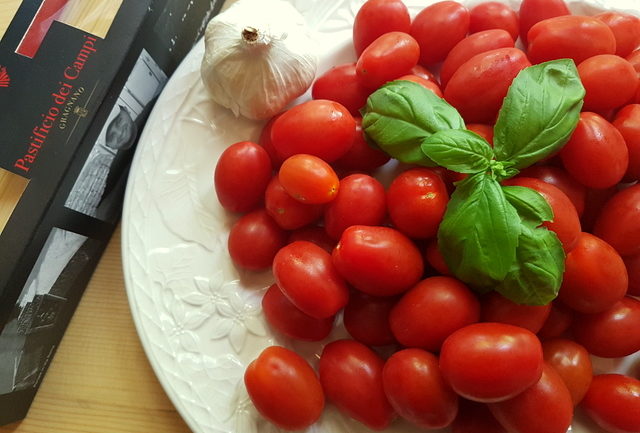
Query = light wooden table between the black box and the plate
x=100 y=380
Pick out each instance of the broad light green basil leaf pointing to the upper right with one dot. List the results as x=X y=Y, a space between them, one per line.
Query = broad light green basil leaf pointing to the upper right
x=539 y=114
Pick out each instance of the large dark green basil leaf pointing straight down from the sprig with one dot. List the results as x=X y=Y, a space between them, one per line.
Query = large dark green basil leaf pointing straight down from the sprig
x=479 y=232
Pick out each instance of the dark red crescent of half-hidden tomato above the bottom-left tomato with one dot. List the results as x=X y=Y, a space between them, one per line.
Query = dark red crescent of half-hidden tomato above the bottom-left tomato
x=287 y=319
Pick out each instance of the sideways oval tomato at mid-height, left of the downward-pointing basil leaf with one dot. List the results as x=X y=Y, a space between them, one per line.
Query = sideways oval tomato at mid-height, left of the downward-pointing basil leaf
x=379 y=261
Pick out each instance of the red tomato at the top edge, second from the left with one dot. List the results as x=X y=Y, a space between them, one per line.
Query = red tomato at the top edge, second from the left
x=438 y=28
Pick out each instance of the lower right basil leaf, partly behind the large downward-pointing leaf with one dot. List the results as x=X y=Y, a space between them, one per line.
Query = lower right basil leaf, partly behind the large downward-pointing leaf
x=536 y=275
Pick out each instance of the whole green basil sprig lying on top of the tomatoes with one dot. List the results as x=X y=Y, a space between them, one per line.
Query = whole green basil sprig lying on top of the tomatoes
x=491 y=235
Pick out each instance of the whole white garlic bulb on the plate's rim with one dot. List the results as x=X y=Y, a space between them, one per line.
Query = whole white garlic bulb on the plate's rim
x=258 y=57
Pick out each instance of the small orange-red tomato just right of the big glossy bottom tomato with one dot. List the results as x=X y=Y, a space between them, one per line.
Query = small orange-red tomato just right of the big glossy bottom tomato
x=572 y=362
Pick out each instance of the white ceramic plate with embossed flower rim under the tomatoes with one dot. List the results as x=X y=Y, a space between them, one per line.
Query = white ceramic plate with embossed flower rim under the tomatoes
x=198 y=317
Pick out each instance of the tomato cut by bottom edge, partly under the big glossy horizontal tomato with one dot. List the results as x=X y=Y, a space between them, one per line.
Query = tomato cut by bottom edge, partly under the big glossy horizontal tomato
x=545 y=407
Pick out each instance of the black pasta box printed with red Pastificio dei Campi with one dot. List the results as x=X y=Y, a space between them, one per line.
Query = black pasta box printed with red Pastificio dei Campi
x=78 y=79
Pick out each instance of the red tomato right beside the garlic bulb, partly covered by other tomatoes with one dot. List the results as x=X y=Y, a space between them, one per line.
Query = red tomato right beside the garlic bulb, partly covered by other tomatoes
x=341 y=84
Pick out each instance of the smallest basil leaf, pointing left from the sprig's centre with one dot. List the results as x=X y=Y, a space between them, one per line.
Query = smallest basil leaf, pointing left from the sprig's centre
x=458 y=150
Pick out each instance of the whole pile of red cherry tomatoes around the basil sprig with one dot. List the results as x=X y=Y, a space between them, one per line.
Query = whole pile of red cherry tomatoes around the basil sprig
x=344 y=246
